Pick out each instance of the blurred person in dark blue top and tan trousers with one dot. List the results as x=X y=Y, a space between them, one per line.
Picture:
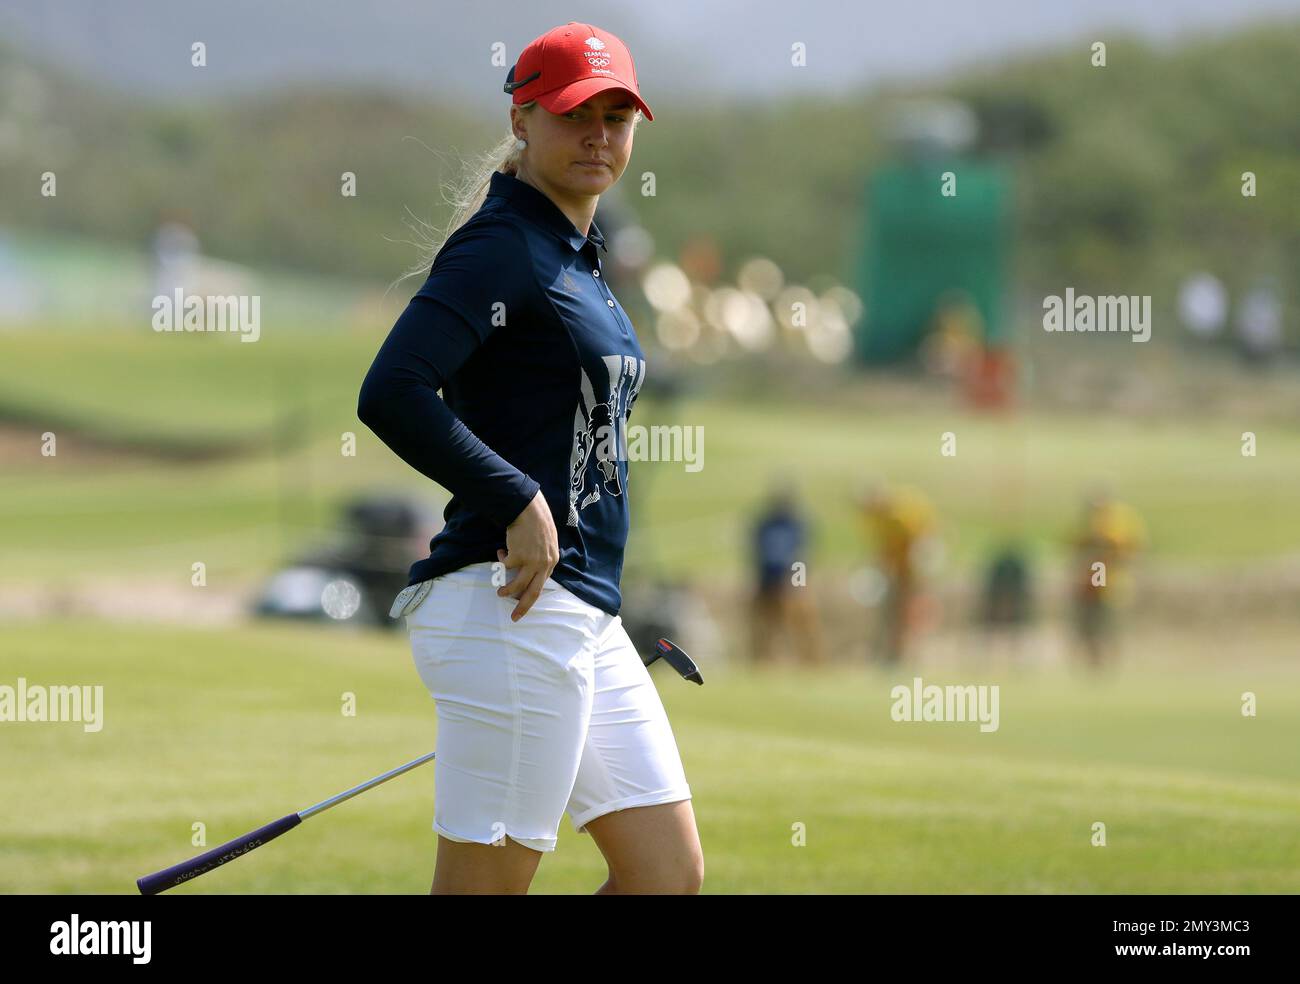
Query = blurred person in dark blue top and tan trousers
x=783 y=609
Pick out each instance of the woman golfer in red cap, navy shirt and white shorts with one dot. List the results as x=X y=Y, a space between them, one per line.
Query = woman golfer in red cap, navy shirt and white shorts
x=544 y=705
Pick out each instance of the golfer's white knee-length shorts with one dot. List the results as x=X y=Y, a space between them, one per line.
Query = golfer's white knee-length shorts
x=549 y=716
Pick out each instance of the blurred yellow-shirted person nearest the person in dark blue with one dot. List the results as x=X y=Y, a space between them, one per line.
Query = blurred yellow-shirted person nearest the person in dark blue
x=902 y=524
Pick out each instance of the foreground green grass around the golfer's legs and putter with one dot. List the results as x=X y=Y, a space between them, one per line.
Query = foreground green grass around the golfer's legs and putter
x=236 y=729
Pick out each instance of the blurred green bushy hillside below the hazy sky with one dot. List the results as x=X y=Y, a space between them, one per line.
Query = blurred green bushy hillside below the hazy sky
x=1132 y=171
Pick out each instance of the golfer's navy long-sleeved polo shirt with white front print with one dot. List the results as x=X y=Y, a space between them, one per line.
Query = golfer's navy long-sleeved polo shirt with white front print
x=539 y=369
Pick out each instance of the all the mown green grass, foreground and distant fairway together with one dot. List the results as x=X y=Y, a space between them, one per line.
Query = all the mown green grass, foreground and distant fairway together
x=233 y=729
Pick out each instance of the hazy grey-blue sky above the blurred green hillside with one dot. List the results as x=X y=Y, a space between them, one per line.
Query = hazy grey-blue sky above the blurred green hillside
x=686 y=50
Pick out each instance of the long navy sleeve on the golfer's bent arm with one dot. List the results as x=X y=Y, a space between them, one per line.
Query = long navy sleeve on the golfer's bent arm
x=439 y=332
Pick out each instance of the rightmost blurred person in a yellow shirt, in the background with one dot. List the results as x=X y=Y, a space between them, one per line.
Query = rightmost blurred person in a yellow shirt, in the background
x=1110 y=535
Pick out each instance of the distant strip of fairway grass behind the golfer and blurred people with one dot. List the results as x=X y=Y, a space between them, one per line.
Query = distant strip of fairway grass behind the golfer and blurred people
x=1206 y=505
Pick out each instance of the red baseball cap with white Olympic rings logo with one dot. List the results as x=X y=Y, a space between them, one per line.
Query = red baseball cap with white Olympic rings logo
x=569 y=66
